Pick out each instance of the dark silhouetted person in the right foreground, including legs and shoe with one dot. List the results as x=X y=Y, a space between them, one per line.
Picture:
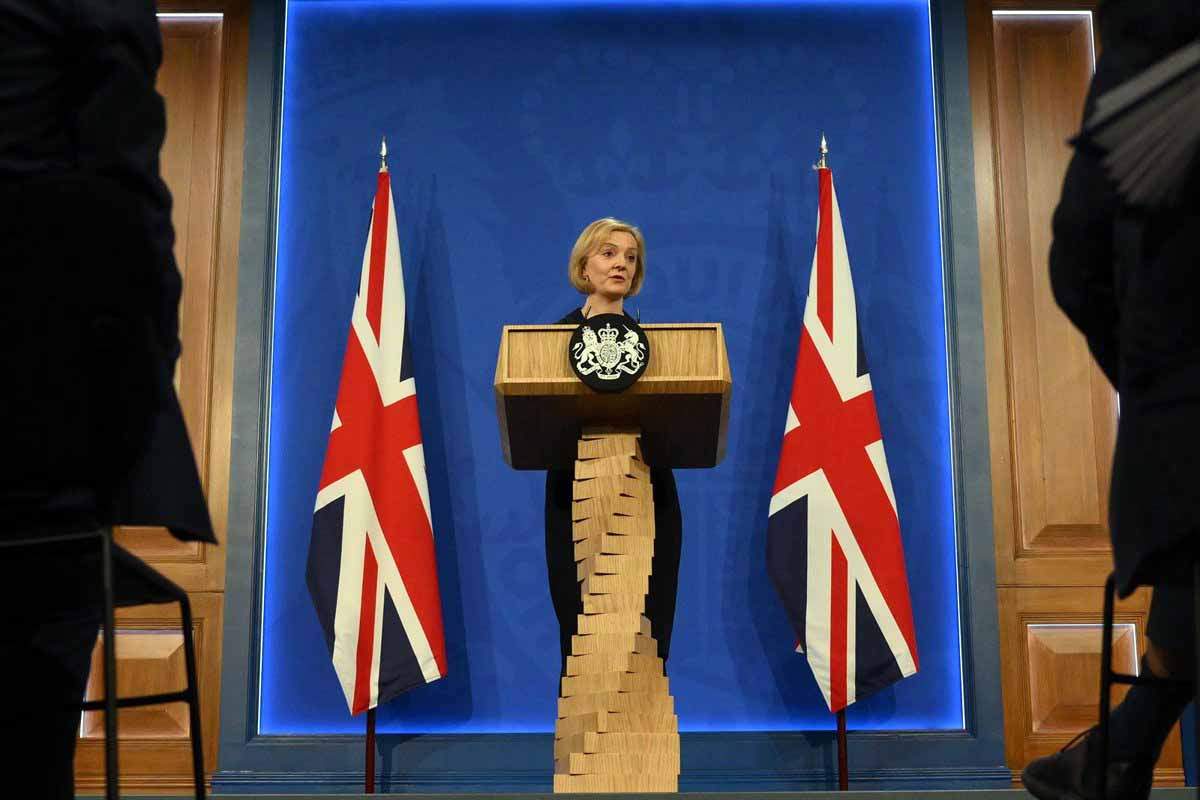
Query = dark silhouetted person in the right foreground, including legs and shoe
x=1130 y=279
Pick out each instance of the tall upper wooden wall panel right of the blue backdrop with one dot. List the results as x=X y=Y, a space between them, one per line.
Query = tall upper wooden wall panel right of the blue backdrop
x=1013 y=232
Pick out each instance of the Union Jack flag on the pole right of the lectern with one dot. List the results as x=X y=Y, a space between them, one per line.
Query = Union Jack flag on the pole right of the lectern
x=833 y=536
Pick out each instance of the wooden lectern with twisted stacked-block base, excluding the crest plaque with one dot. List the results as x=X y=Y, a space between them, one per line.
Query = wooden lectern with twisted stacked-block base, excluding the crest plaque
x=617 y=730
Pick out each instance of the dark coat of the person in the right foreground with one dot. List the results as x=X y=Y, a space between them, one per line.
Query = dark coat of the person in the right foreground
x=1130 y=280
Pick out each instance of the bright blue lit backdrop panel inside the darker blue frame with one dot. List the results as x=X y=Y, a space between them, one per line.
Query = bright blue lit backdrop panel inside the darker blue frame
x=511 y=128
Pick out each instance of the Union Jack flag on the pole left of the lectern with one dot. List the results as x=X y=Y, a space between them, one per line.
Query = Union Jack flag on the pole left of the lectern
x=371 y=572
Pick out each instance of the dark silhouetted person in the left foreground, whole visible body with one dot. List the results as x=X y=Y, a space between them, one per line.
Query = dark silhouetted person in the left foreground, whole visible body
x=88 y=345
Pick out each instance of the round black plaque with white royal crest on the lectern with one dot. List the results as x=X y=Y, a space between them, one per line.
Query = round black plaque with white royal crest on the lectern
x=609 y=352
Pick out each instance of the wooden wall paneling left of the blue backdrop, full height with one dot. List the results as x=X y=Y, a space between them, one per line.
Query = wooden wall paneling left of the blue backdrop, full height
x=203 y=81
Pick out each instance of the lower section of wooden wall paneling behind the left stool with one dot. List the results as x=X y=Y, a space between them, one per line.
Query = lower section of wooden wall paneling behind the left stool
x=155 y=754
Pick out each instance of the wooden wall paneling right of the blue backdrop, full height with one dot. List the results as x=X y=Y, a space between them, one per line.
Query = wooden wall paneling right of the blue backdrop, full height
x=1052 y=414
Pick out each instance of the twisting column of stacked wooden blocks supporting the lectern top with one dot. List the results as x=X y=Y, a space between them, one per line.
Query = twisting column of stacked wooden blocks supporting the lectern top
x=617 y=730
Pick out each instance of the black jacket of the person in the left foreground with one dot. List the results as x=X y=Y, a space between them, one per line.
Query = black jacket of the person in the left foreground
x=89 y=317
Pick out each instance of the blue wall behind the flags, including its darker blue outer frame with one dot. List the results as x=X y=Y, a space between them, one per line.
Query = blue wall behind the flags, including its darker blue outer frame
x=512 y=125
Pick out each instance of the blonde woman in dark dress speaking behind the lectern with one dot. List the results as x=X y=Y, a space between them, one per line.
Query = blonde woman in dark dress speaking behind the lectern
x=608 y=264
